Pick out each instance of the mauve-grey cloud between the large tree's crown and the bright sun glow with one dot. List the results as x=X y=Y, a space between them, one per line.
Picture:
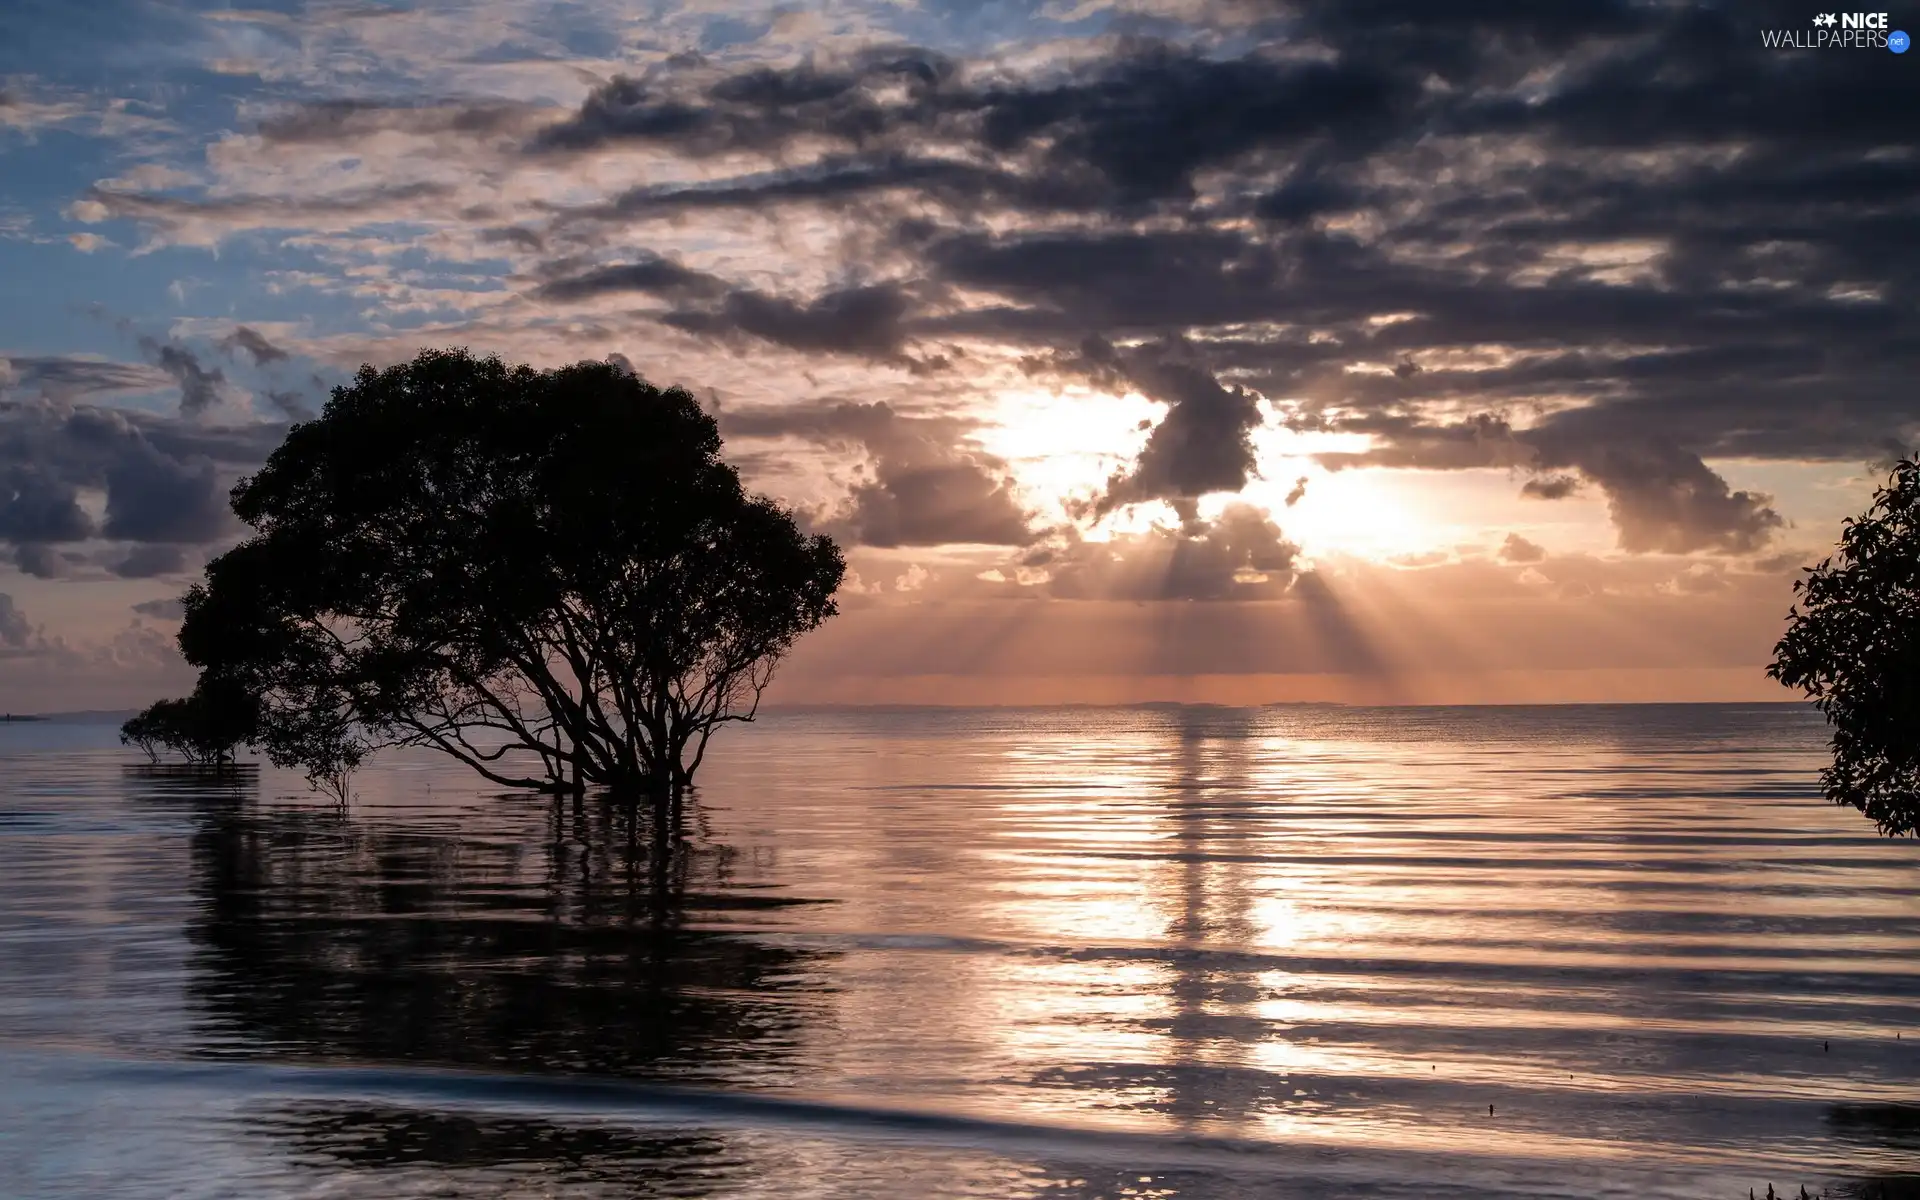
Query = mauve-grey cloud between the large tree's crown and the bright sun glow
x=926 y=487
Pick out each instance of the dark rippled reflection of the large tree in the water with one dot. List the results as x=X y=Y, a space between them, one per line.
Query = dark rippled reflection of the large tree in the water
x=546 y=938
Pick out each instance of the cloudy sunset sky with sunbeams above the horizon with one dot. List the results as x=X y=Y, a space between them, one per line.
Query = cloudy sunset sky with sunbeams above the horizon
x=1211 y=350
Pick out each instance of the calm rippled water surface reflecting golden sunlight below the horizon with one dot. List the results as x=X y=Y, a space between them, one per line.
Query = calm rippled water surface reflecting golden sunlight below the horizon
x=1059 y=953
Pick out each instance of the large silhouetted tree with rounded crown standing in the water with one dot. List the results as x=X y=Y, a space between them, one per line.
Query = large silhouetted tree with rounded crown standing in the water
x=548 y=575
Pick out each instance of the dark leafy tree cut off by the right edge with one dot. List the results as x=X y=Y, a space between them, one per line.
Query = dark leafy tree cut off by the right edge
x=1854 y=646
